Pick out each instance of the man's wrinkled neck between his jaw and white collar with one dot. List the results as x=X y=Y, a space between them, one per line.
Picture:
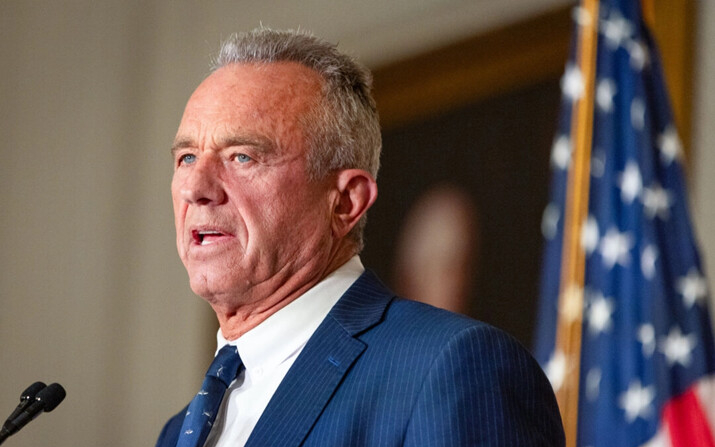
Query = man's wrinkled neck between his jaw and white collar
x=236 y=320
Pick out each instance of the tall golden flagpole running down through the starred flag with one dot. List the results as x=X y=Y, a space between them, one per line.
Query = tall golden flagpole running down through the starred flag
x=568 y=335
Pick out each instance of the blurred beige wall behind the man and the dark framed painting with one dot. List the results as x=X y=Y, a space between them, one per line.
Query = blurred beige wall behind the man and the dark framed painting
x=92 y=294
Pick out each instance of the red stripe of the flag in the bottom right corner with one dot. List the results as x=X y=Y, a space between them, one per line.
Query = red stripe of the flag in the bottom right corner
x=687 y=422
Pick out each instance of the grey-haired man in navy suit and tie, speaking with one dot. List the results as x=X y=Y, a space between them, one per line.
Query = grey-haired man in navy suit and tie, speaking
x=275 y=162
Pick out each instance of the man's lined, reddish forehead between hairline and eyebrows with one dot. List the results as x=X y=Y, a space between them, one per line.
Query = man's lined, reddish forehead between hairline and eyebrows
x=209 y=124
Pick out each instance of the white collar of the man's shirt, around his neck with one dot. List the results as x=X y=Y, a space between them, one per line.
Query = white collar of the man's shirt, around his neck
x=286 y=332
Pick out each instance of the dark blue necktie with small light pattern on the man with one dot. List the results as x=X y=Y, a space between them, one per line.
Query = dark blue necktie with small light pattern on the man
x=203 y=408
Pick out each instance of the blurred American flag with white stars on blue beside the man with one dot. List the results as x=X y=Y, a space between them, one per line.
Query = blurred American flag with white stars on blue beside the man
x=647 y=357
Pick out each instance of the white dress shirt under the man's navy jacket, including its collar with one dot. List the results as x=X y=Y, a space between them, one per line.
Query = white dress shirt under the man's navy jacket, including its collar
x=269 y=350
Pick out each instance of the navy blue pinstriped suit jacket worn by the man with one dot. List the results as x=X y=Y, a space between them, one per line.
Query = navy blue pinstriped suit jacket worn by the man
x=383 y=371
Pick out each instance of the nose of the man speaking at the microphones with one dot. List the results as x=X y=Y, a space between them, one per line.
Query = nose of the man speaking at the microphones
x=201 y=183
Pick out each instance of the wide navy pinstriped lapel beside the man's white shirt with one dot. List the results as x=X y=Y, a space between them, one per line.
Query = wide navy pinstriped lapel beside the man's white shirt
x=320 y=368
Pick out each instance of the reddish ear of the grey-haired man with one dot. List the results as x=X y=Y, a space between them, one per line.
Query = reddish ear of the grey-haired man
x=356 y=192
